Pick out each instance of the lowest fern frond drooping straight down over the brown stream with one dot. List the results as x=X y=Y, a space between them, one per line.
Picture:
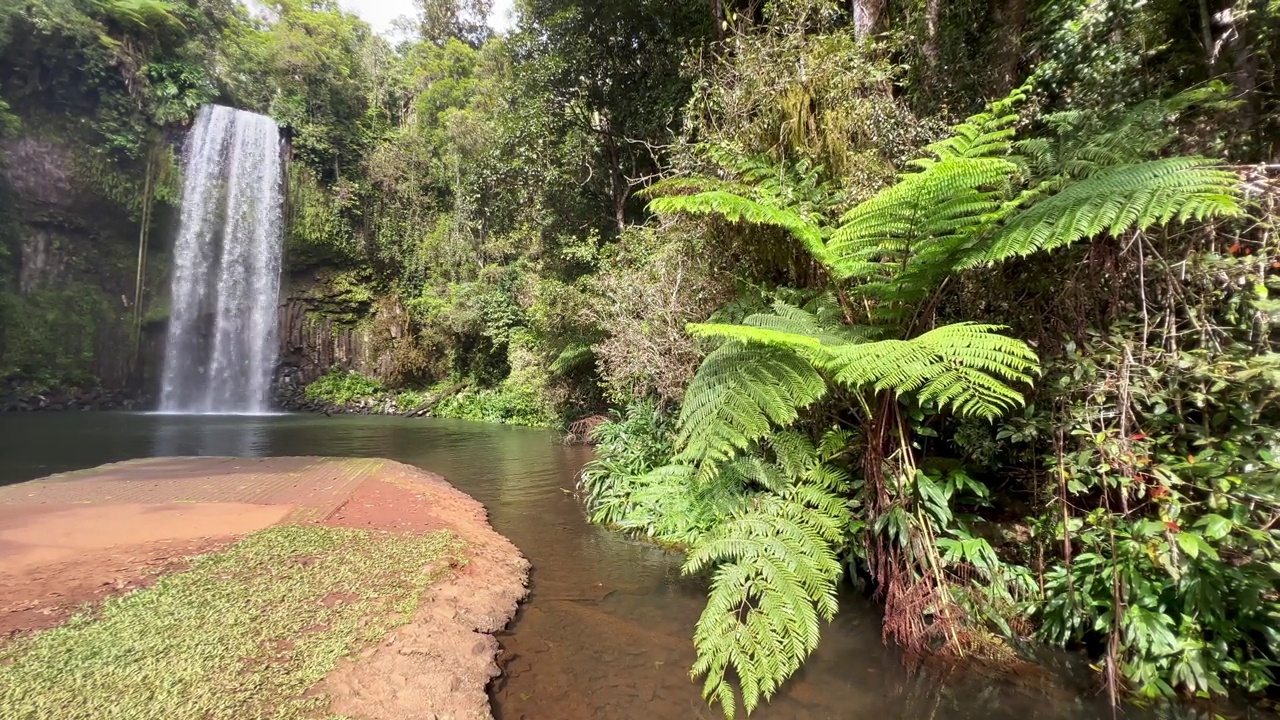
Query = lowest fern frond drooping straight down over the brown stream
x=775 y=577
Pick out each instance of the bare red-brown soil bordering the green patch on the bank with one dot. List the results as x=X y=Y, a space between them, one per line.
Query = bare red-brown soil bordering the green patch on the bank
x=77 y=539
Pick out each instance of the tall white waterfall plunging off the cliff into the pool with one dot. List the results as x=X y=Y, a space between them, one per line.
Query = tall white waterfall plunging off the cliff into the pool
x=222 y=343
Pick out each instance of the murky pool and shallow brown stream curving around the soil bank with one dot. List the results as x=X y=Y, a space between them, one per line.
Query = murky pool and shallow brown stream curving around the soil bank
x=606 y=634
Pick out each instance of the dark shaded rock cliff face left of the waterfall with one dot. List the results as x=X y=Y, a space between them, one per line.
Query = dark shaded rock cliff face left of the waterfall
x=68 y=261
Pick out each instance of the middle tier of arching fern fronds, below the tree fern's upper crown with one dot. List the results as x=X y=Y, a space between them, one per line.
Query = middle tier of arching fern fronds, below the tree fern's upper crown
x=762 y=377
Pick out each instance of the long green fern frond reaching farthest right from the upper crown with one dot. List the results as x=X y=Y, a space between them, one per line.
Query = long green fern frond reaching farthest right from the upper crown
x=1117 y=200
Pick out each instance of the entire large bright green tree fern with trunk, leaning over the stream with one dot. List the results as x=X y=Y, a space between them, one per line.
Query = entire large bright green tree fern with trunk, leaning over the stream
x=980 y=197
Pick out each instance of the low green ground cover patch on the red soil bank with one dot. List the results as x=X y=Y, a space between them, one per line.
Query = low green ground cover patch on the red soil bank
x=245 y=634
